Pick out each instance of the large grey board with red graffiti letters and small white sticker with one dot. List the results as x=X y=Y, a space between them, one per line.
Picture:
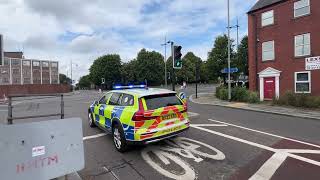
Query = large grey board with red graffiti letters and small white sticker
x=41 y=150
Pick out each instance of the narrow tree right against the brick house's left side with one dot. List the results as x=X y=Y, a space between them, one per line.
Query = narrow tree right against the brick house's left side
x=242 y=56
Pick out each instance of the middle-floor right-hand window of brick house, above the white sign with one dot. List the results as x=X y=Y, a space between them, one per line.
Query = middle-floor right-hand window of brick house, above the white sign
x=302 y=45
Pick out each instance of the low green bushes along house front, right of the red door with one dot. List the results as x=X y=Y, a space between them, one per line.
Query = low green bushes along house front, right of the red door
x=298 y=100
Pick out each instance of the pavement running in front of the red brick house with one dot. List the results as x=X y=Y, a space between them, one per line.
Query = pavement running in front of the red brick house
x=210 y=99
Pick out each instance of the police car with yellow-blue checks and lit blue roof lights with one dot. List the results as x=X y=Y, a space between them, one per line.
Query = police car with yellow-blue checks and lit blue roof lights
x=139 y=115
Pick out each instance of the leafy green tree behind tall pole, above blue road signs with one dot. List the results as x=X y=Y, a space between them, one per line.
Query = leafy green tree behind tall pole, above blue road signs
x=218 y=57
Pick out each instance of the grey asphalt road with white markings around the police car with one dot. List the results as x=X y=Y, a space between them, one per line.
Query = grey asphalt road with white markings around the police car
x=222 y=143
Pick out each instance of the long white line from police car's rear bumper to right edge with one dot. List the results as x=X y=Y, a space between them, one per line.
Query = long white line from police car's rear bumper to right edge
x=259 y=145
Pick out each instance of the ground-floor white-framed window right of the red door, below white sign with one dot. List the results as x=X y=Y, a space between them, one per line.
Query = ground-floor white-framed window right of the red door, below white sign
x=303 y=82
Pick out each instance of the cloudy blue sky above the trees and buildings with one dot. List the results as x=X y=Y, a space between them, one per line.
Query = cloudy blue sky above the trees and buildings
x=81 y=31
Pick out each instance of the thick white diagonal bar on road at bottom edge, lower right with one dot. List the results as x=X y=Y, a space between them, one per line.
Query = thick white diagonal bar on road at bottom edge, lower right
x=268 y=169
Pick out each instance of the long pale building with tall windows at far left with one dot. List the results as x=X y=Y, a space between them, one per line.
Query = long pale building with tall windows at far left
x=16 y=71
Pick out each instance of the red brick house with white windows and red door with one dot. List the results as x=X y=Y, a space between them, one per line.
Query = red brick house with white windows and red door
x=284 y=47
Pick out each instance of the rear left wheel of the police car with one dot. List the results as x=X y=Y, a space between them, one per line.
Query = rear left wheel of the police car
x=119 y=139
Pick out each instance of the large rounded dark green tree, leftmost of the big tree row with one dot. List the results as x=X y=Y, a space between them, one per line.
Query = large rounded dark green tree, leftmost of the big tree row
x=107 y=67
